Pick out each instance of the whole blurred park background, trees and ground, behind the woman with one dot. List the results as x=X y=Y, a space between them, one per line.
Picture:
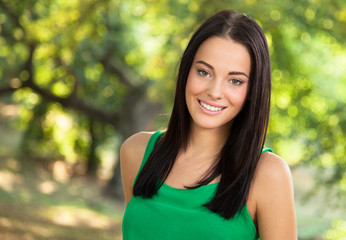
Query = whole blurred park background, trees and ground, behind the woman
x=78 y=77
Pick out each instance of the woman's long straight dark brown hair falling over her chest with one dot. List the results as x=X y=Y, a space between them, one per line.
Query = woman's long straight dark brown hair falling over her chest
x=238 y=158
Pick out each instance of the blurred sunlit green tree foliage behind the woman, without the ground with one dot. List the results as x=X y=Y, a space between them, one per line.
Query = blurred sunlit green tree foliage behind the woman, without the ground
x=61 y=60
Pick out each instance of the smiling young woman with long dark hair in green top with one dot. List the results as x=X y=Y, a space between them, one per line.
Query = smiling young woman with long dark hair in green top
x=208 y=176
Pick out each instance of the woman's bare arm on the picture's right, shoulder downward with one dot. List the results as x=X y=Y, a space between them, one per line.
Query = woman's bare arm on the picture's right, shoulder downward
x=274 y=197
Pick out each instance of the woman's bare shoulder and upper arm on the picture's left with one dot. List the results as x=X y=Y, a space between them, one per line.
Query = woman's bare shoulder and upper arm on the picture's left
x=131 y=156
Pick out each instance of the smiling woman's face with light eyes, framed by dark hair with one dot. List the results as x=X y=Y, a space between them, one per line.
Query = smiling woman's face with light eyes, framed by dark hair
x=217 y=82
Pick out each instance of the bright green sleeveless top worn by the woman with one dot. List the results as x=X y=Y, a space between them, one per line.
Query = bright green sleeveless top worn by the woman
x=174 y=213
